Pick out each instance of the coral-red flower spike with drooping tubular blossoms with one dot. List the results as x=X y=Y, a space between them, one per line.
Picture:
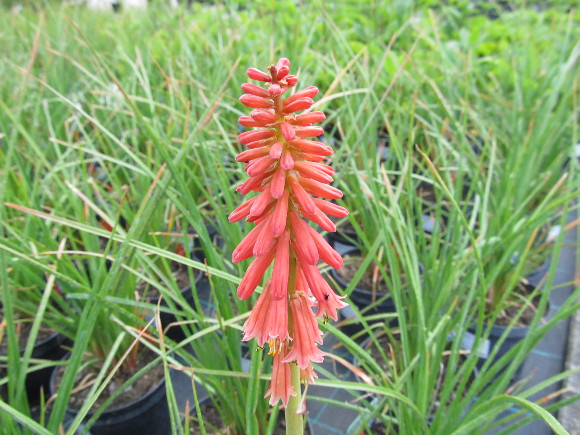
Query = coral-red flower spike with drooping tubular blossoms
x=285 y=170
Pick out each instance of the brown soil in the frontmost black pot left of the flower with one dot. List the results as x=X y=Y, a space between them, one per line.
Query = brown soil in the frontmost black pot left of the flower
x=138 y=389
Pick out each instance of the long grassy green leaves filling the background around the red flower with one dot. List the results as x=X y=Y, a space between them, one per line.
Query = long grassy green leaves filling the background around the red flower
x=118 y=139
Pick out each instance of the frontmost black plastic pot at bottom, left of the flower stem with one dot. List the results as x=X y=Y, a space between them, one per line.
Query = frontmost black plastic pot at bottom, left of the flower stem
x=147 y=415
